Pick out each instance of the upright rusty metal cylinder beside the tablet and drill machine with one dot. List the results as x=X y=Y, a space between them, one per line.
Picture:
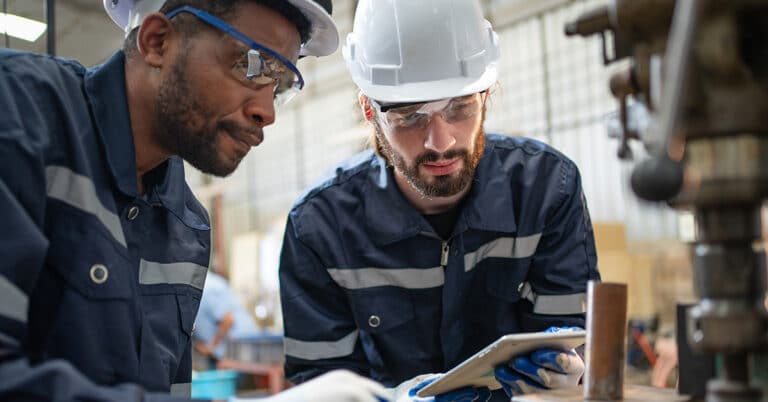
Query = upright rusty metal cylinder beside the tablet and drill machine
x=606 y=341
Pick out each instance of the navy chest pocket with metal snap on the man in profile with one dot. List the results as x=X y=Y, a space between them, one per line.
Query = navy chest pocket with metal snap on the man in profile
x=83 y=307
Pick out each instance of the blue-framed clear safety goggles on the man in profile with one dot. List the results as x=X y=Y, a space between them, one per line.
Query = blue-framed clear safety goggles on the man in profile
x=261 y=65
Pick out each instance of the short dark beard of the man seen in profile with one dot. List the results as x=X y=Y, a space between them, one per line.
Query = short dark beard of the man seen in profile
x=180 y=121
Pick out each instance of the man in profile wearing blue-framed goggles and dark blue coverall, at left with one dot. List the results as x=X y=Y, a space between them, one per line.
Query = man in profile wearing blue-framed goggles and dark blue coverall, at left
x=104 y=247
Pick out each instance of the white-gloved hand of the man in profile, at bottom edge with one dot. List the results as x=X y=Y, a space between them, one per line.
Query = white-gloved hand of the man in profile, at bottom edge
x=335 y=386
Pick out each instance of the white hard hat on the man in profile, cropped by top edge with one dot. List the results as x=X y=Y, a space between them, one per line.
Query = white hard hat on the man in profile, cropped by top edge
x=323 y=34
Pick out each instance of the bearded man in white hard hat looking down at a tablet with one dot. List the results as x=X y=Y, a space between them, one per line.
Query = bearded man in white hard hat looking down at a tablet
x=415 y=255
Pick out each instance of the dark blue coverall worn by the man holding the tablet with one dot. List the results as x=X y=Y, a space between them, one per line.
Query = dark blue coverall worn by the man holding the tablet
x=367 y=284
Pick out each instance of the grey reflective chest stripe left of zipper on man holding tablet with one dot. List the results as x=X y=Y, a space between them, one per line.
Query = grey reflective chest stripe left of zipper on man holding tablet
x=408 y=278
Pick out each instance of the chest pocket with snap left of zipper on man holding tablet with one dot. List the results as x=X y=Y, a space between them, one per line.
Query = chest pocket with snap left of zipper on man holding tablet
x=378 y=310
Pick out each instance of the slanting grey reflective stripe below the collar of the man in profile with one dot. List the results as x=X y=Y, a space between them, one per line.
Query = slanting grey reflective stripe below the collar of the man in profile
x=79 y=191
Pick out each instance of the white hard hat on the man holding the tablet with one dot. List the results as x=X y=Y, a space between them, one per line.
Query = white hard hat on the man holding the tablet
x=421 y=50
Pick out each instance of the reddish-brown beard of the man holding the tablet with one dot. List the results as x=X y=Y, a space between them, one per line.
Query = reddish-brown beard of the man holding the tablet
x=440 y=186
